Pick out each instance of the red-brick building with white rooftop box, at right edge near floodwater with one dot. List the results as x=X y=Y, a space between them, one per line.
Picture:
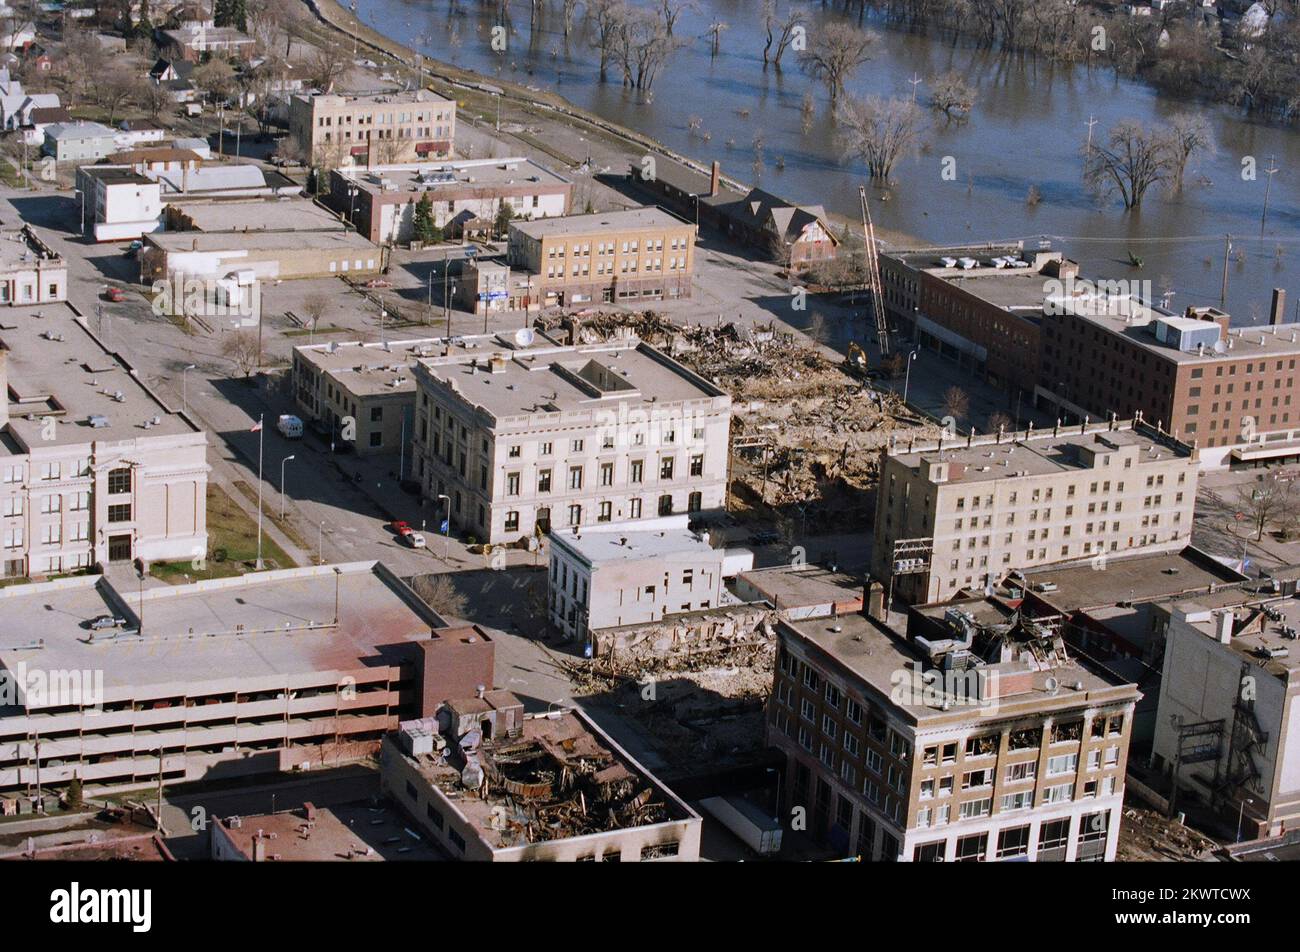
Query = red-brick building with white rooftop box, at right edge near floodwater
x=1232 y=392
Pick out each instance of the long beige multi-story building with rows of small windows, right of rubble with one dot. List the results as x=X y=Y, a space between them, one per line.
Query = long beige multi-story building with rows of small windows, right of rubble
x=963 y=513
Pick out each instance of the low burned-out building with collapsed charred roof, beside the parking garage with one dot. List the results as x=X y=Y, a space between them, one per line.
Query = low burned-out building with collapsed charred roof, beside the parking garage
x=487 y=782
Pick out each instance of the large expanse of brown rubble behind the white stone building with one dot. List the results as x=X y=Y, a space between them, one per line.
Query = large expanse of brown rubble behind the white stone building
x=808 y=432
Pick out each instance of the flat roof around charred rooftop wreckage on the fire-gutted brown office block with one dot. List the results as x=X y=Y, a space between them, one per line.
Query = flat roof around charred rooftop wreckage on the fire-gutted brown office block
x=879 y=660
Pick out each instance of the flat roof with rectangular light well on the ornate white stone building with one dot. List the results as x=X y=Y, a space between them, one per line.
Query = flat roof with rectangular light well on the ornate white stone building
x=554 y=379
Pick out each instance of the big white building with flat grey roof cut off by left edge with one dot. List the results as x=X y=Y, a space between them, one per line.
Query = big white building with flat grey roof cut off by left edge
x=94 y=468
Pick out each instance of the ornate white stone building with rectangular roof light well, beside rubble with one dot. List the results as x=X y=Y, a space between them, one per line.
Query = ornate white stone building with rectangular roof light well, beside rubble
x=525 y=438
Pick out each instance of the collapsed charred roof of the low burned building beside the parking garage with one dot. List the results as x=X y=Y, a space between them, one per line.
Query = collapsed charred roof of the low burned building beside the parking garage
x=606 y=777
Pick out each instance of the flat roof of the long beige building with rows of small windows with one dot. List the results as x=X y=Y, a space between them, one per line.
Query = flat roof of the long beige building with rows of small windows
x=1038 y=453
